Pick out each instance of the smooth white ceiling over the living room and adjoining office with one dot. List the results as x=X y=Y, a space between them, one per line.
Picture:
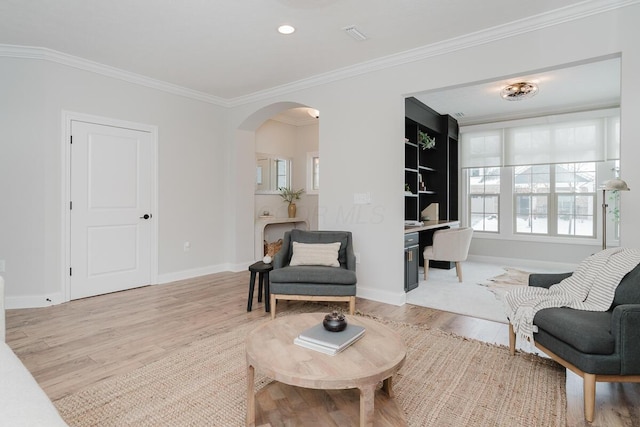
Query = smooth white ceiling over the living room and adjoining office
x=231 y=49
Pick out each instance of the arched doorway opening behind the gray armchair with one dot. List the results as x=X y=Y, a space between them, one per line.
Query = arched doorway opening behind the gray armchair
x=284 y=134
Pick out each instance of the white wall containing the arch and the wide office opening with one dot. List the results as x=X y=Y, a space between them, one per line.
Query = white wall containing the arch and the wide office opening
x=361 y=134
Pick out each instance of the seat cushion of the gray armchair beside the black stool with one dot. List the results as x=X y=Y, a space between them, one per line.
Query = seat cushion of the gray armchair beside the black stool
x=313 y=274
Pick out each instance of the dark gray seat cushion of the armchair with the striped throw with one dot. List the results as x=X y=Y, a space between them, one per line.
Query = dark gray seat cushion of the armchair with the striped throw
x=587 y=331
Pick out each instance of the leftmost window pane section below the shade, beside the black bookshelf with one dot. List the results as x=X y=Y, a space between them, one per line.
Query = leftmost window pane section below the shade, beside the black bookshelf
x=484 y=198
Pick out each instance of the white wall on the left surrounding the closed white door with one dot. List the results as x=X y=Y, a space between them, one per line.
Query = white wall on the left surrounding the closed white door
x=191 y=173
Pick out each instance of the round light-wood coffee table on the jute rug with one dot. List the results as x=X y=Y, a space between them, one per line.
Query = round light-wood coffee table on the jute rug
x=376 y=357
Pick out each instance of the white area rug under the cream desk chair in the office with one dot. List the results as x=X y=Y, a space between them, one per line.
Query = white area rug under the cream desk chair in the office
x=477 y=296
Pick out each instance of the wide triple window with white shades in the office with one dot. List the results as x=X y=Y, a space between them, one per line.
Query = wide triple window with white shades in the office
x=546 y=170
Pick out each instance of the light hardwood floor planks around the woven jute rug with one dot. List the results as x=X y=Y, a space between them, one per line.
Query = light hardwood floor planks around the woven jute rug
x=74 y=345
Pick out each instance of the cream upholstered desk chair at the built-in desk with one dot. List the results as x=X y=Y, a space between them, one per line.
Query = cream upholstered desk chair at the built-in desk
x=451 y=245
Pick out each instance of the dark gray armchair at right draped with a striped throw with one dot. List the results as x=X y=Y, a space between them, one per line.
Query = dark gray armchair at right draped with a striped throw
x=598 y=346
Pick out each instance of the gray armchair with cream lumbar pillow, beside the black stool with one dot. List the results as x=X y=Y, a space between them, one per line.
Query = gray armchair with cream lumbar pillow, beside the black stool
x=314 y=282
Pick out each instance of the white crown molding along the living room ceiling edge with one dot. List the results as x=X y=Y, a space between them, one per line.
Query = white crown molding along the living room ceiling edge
x=533 y=23
